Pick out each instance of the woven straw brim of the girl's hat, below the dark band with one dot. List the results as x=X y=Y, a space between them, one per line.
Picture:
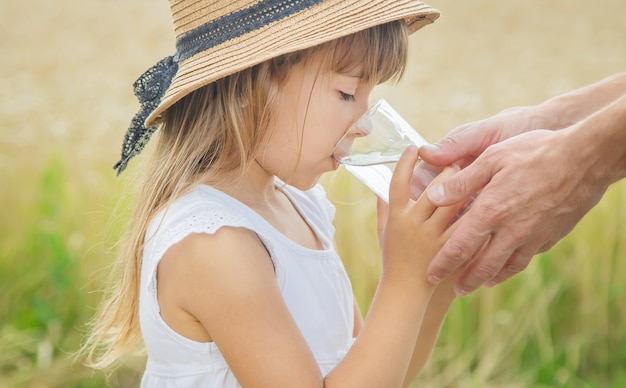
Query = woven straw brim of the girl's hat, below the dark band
x=318 y=24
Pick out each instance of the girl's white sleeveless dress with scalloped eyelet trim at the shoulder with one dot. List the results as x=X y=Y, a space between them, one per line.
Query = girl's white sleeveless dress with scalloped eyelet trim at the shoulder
x=313 y=283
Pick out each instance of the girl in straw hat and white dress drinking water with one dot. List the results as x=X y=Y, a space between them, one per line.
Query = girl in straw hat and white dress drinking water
x=230 y=270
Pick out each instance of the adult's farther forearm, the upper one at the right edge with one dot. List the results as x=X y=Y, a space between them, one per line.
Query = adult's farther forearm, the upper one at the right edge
x=569 y=108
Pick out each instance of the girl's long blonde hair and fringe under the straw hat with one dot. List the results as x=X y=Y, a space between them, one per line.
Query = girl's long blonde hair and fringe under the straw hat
x=209 y=135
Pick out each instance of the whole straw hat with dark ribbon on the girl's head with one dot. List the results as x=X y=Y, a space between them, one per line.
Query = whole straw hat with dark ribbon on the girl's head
x=216 y=38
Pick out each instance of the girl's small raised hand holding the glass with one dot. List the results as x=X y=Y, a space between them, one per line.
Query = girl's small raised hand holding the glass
x=412 y=231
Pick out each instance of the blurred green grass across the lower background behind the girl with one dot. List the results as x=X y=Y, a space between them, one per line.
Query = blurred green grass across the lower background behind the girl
x=558 y=324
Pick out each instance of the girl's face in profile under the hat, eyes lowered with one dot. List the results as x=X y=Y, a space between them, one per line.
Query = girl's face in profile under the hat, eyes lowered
x=314 y=110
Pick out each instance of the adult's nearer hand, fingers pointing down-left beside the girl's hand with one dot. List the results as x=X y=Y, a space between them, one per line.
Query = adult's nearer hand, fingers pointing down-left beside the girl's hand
x=533 y=191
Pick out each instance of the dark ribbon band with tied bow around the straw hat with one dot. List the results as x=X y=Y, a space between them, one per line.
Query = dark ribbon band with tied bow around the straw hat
x=153 y=84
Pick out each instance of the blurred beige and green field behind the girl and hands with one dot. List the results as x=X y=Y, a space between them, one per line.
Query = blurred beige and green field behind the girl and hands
x=66 y=100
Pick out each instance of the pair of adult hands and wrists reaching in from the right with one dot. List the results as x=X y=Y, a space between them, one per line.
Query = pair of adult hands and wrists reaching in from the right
x=538 y=170
